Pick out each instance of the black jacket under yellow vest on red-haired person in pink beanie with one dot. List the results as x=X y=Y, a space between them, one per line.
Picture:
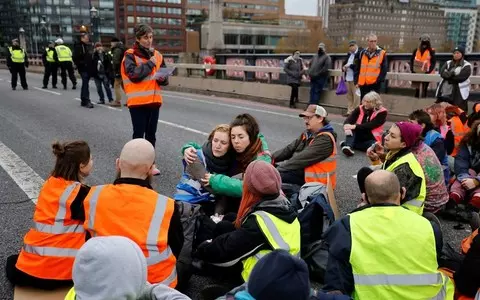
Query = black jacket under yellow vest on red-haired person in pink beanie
x=231 y=248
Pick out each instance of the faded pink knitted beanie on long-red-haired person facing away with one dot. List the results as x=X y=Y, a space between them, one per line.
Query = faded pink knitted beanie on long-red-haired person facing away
x=262 y=178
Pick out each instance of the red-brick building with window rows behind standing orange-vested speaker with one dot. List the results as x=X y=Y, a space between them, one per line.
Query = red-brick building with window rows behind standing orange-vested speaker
x=167 y=17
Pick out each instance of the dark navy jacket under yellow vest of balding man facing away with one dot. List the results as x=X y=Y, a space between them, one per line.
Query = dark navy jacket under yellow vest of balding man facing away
x=339 y=274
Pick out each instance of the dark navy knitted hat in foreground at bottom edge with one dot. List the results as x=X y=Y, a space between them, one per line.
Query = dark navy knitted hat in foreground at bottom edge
x=279 y=276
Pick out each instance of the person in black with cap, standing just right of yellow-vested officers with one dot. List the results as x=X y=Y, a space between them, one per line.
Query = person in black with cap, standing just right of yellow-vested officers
x=82 y=57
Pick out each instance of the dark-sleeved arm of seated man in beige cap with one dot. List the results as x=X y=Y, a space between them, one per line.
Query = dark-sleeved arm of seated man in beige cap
x=320 y=149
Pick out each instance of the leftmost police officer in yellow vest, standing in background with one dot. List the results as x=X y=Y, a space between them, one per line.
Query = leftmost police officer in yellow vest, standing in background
x=17 y=61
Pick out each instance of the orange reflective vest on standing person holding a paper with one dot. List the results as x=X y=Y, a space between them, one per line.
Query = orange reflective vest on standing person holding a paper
x=146 y=91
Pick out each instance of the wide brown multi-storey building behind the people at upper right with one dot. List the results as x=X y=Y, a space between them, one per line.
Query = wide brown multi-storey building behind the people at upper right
x=397 y=23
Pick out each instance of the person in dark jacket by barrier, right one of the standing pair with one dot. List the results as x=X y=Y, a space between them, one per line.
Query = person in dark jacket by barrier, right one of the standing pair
x=318 y=73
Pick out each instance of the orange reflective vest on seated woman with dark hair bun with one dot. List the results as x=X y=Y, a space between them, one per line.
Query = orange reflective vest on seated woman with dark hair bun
x=51 y=245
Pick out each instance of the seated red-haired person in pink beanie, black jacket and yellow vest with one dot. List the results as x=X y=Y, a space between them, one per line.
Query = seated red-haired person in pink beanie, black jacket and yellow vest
x=265 y=222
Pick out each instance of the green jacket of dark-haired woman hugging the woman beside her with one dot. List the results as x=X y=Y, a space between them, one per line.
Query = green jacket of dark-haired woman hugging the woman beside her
x=226 y=185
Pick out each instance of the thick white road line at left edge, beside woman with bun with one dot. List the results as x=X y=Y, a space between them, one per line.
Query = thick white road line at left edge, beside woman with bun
x=24 y=176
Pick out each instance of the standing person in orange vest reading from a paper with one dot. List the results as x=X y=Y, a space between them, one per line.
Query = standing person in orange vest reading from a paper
x=144 y=98
